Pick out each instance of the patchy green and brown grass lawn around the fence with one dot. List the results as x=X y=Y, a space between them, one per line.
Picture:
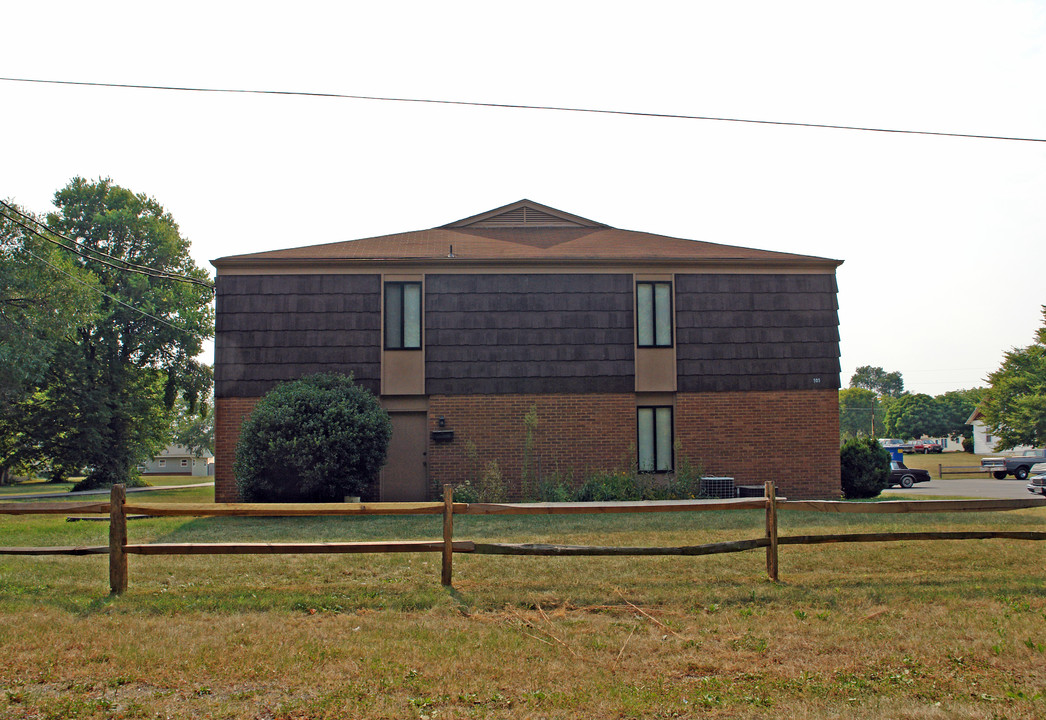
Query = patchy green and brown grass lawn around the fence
x=902 y=631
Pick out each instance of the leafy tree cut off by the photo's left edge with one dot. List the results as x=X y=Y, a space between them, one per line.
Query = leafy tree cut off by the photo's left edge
x=44 y=297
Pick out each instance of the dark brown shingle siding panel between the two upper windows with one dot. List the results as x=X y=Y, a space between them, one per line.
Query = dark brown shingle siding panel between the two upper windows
x=529 y=333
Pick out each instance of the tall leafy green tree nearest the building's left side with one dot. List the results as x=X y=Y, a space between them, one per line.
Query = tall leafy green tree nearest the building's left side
x=106 y=402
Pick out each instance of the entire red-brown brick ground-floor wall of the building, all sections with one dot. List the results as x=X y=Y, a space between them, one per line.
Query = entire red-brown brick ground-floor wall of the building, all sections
x=791 y=437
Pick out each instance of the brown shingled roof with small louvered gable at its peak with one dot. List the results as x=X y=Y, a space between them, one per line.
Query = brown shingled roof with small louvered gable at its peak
x=524 y=233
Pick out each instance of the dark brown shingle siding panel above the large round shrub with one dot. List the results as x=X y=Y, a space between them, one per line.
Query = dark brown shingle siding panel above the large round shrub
x=276 y=328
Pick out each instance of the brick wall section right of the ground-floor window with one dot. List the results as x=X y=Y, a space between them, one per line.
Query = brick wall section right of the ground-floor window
x=791 y=438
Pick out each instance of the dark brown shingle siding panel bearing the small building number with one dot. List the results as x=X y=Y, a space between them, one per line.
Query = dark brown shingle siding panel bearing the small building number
x=757 y=333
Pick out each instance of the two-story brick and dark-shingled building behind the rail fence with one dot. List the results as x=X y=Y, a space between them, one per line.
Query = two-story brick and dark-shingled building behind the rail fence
x=553 y=345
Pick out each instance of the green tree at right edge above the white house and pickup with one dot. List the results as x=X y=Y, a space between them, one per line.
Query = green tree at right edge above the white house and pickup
x=1014 y=406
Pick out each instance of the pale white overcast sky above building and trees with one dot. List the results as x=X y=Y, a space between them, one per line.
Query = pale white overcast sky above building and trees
x=943 y=238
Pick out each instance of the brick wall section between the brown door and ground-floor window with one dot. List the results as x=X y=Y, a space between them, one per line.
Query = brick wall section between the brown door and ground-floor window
x=580 y=433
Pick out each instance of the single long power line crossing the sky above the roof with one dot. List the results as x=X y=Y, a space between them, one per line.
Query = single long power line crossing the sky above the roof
x=509 y=106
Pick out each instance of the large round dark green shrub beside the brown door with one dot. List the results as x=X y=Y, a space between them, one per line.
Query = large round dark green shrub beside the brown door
x=314 y=440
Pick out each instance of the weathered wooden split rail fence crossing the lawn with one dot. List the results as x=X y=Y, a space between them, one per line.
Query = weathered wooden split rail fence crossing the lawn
x=119 y=549
